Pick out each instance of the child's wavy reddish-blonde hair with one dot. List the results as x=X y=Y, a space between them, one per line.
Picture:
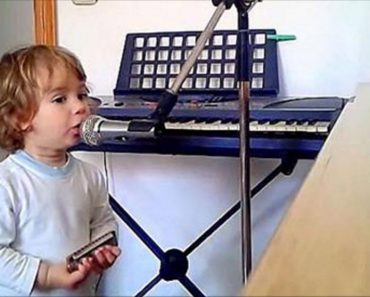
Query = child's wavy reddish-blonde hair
x=19 y=87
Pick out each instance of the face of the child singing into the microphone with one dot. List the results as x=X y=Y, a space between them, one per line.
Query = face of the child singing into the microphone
x=62 y=108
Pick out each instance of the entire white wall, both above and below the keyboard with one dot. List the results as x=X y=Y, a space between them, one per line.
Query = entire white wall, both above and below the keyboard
x=175 y=198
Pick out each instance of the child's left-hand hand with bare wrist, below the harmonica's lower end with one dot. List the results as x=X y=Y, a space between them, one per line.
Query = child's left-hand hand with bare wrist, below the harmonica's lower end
x=56 y=276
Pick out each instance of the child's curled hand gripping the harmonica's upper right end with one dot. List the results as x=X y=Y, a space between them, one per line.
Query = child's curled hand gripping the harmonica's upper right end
x=104 y=257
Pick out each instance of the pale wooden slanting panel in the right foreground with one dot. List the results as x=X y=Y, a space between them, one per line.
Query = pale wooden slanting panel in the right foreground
x=322 y=246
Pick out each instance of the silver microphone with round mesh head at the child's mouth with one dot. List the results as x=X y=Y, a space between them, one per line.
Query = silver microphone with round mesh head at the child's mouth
x=96 y=129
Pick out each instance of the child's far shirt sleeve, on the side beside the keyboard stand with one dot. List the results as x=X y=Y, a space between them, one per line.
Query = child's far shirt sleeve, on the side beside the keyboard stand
x=103 y=219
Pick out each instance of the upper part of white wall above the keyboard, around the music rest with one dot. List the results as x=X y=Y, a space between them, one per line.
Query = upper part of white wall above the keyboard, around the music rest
x=328 y=57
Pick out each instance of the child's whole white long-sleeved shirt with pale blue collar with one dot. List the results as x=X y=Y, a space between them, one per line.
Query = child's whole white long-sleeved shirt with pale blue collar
x=46 y=213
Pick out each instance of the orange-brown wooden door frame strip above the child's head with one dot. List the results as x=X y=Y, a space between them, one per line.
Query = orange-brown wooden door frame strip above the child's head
x=45 y=22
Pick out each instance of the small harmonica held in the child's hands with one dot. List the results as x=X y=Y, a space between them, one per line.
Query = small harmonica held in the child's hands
x=87 y=250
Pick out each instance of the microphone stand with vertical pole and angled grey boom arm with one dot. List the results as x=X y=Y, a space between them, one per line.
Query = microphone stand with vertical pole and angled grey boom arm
x=169 y=99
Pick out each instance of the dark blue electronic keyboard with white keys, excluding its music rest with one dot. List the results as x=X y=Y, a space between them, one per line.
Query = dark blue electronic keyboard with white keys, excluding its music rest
x=294 y=127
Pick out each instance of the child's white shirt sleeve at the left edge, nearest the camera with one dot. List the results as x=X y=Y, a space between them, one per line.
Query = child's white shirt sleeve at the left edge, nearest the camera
x=17 y=271
